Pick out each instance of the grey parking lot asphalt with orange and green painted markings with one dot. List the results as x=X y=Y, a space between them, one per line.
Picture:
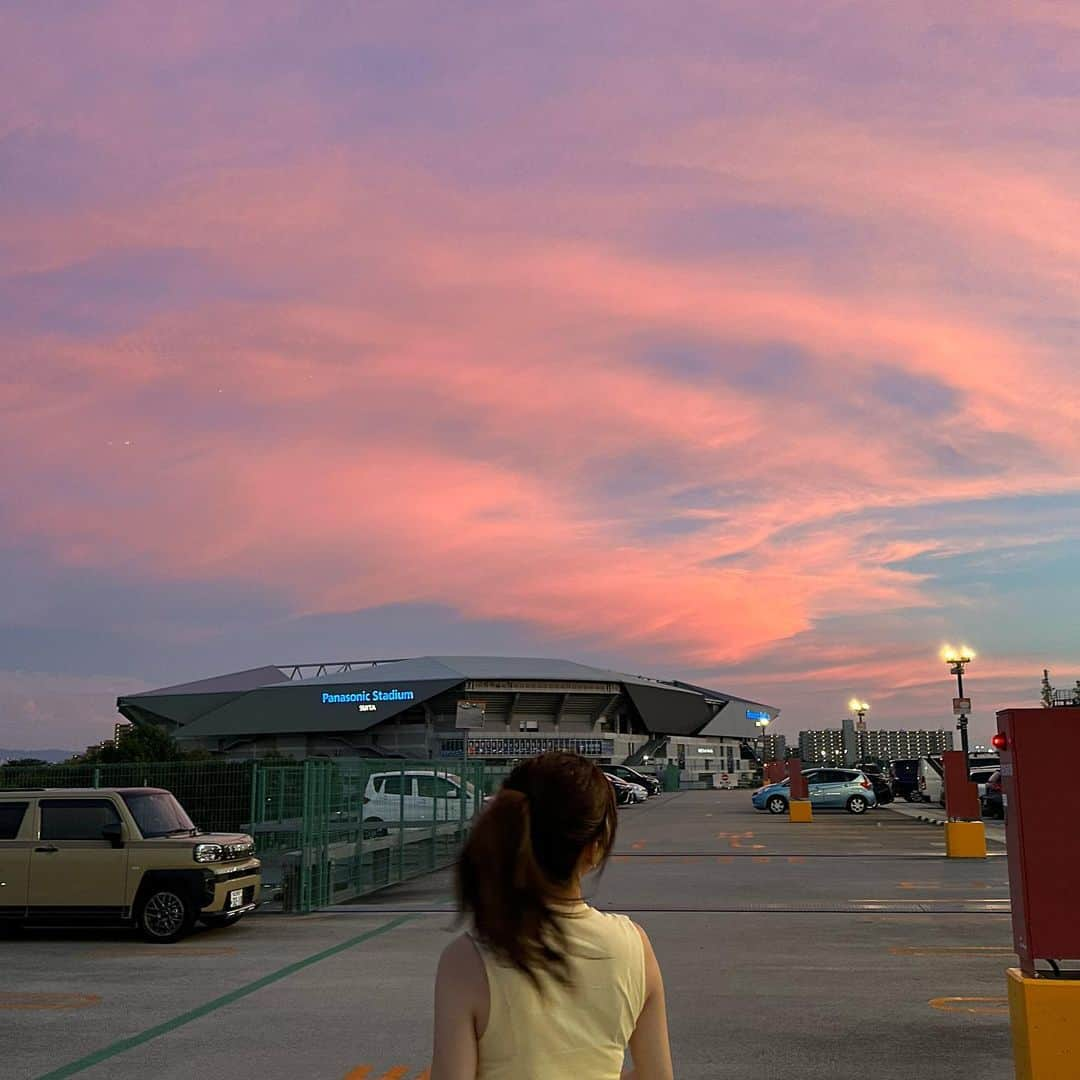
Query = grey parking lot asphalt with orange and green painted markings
x=845 y=948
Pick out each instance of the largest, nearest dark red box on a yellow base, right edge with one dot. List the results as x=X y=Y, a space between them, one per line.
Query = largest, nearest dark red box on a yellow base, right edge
x=1042 y=831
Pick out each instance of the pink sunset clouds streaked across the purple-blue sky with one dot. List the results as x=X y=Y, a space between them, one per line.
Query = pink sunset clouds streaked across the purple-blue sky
x=424 y=385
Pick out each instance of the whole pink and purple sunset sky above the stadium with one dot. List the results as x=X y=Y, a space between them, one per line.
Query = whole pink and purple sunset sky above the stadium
x=731 y=342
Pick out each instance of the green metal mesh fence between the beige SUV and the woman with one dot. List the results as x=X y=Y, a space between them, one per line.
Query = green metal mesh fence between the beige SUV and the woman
x=328 y=830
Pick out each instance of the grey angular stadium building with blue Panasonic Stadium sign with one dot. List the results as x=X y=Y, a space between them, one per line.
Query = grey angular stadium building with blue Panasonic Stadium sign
x=494 y=709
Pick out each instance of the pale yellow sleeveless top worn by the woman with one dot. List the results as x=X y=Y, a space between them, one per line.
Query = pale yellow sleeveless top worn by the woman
x=578 y=1032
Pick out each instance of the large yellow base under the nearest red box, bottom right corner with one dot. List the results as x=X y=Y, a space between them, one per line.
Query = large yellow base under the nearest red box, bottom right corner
x=1045 y=1017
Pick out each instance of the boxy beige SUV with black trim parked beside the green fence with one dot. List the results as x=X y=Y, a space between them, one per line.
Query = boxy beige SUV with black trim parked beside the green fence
x=128 y=855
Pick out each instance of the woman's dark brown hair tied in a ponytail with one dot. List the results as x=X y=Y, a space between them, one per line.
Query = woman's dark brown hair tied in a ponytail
x=525 y=846
